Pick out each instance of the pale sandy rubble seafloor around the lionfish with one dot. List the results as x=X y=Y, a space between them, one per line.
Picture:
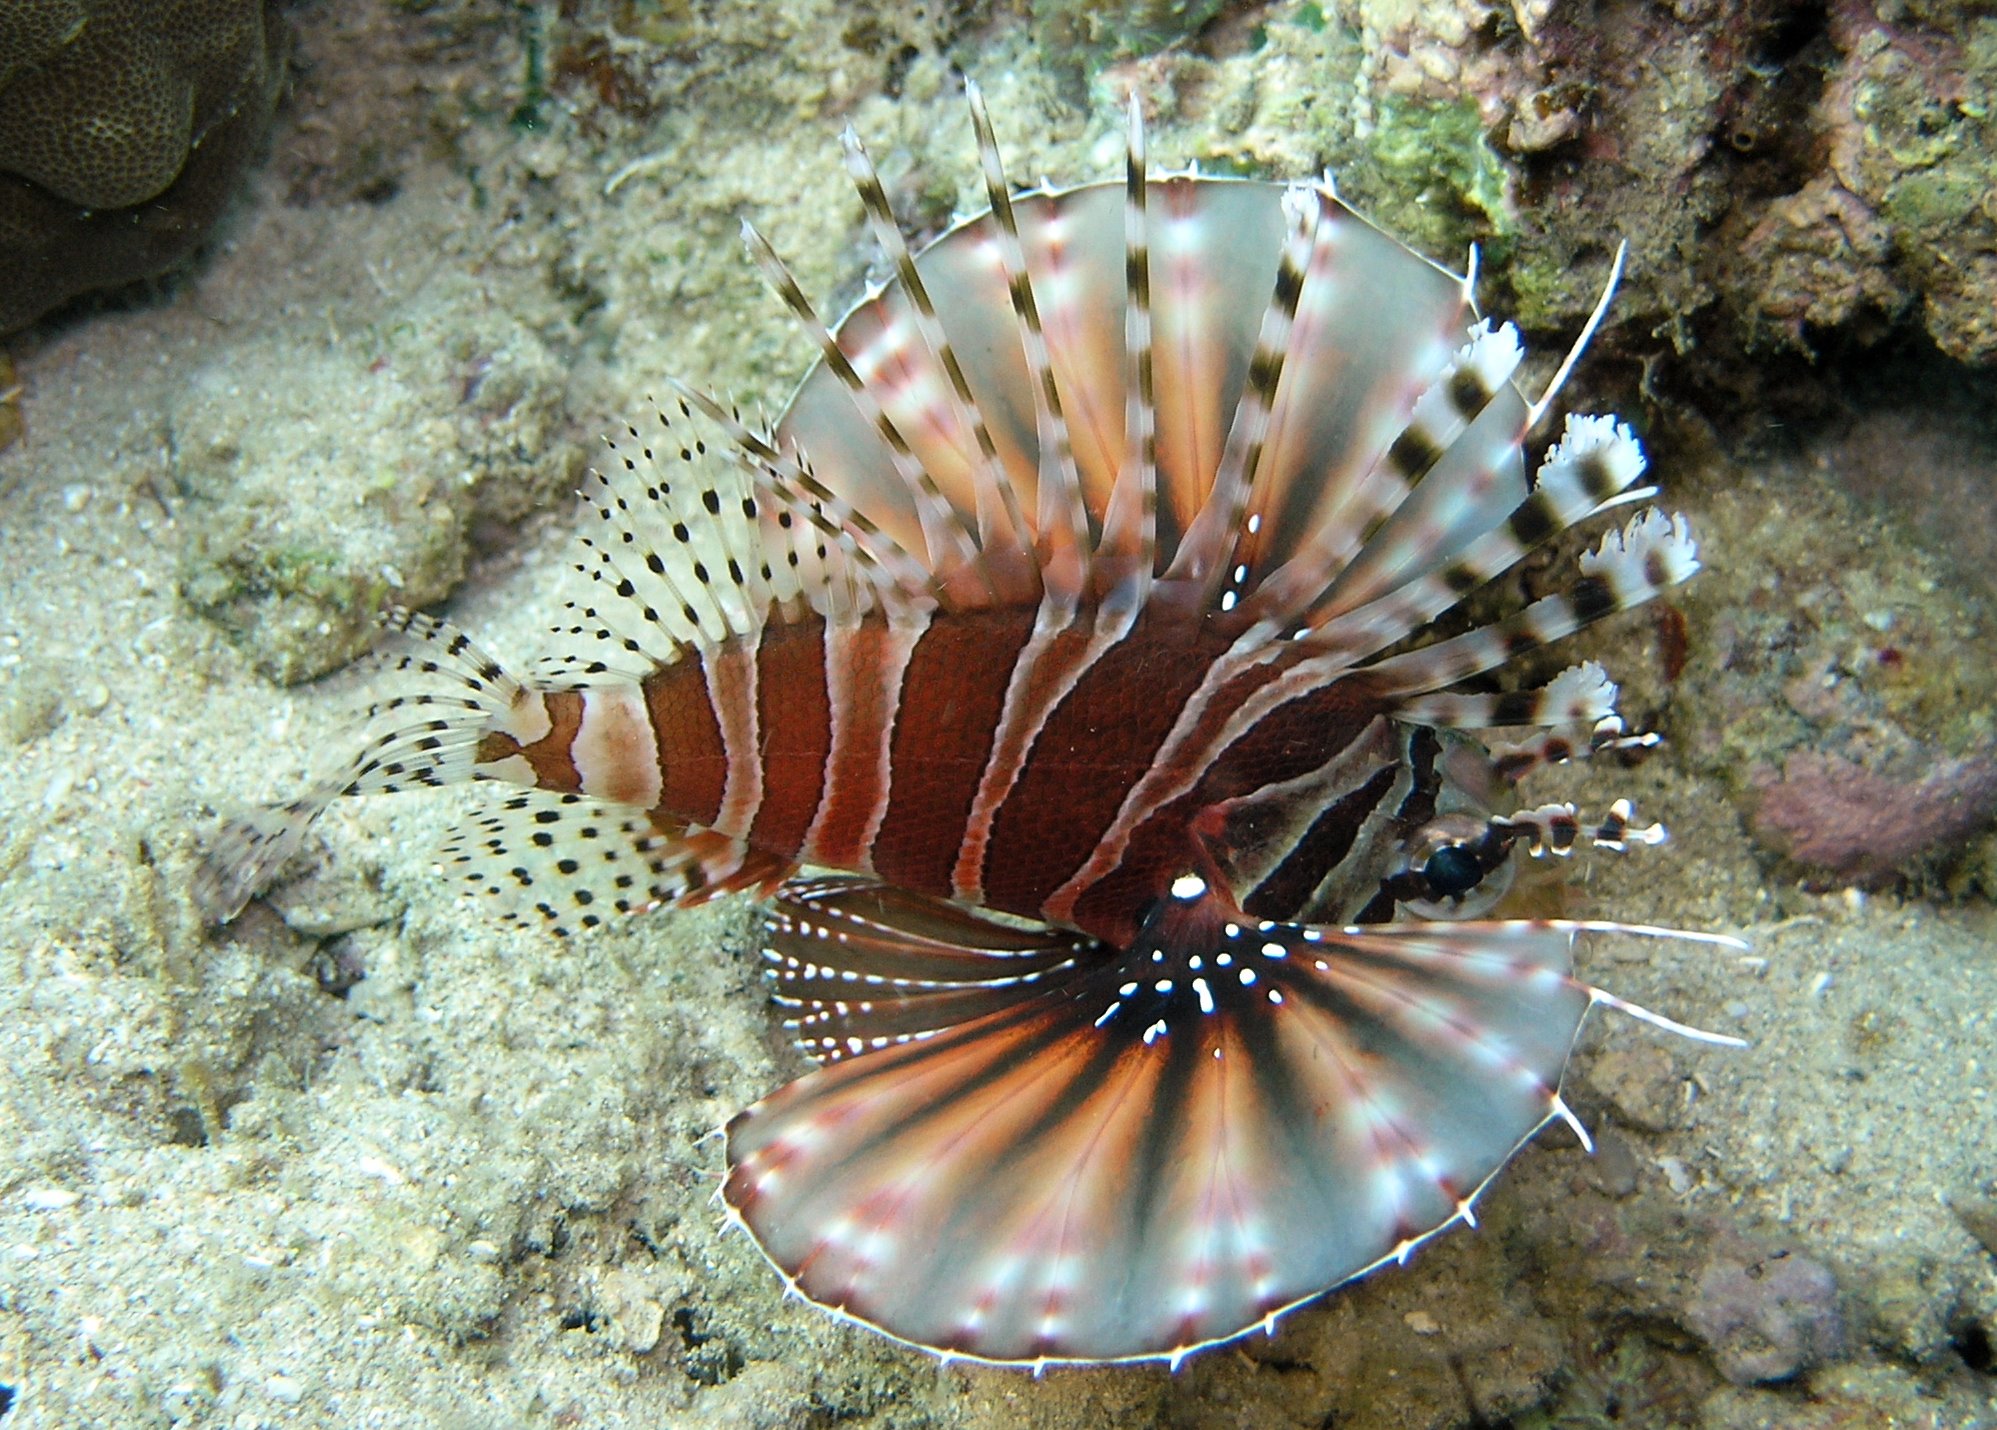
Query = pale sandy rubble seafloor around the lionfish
x=478 y=1187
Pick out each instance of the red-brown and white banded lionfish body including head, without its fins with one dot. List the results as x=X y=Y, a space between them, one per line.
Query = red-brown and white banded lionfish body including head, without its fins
x=1061 y=776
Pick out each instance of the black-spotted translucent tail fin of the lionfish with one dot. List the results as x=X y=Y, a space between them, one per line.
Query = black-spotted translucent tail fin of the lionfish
x=420 y=740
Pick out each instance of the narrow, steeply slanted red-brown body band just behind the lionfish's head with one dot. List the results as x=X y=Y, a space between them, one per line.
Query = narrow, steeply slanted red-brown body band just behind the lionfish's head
x=1285 y=744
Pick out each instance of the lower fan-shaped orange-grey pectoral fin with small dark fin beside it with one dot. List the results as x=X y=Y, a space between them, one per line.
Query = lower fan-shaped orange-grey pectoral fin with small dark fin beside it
x=1045 y=1153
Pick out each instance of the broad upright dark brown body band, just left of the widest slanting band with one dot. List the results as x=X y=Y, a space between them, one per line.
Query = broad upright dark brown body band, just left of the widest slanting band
x=952 y=706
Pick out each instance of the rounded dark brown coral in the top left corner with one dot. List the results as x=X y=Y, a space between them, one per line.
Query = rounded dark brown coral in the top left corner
x=123 y=129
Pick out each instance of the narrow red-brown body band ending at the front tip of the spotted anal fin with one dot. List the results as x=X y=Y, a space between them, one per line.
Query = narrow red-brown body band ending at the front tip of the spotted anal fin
x=796 y=722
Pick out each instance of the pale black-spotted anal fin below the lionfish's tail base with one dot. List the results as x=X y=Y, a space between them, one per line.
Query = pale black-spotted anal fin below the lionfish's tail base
x=568 y=864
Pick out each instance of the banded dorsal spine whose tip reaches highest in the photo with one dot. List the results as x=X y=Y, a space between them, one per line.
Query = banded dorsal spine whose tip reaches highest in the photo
x=1061 y=522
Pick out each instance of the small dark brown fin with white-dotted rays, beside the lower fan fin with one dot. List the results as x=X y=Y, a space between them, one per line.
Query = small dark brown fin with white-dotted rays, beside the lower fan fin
x=862 y=966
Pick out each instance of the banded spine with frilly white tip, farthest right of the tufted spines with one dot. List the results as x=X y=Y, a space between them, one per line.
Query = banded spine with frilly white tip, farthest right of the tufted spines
x=1651 y=554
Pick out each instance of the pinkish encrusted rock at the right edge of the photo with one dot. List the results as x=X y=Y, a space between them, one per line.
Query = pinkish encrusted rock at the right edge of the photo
x=1862 y=826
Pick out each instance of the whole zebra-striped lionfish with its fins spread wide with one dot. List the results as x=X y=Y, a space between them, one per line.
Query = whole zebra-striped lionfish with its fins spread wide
x=1077 y=626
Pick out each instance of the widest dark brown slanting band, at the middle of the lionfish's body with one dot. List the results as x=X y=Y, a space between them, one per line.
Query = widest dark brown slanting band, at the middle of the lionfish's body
x=1093 y=750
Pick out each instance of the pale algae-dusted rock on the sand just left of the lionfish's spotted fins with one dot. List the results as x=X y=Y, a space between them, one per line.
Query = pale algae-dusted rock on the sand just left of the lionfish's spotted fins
x=303 y=528
